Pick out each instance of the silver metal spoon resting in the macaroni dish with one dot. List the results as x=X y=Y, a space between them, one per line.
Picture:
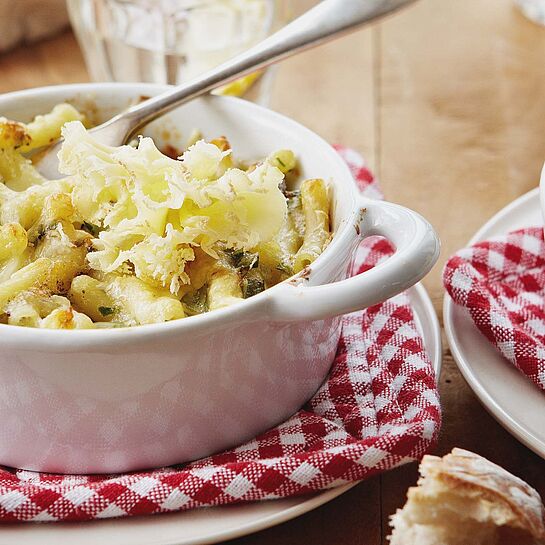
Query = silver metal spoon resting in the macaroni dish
x=328 y=20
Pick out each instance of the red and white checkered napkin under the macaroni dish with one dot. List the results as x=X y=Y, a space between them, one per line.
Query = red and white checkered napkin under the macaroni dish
x=379 y=408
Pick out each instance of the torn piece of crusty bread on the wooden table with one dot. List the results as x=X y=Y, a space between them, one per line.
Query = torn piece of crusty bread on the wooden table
x=463 y=499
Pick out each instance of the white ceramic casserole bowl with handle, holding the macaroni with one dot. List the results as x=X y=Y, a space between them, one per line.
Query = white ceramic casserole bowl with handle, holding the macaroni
x=95 y=401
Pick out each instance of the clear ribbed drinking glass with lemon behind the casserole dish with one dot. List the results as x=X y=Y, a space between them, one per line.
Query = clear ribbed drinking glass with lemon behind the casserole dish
x=172 y=41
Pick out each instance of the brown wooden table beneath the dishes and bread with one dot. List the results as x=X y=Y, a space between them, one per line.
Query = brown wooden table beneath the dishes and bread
x=446 y=100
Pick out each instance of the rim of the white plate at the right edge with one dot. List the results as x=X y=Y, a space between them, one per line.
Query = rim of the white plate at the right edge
x=511 y=424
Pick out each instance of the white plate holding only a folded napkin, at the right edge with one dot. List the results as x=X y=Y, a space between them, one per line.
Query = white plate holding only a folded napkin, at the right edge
x=510 y=397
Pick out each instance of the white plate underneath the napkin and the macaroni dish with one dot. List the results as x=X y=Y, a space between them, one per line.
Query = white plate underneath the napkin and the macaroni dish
x=203 y=526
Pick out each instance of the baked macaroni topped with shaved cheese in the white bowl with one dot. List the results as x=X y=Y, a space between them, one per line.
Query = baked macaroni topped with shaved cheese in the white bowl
x=132 y=236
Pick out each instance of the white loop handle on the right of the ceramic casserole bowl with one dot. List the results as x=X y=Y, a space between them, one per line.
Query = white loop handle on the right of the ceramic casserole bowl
x=417 y=250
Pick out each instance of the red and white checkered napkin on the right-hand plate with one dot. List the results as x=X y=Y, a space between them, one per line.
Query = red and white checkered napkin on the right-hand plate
x=501 y=282
